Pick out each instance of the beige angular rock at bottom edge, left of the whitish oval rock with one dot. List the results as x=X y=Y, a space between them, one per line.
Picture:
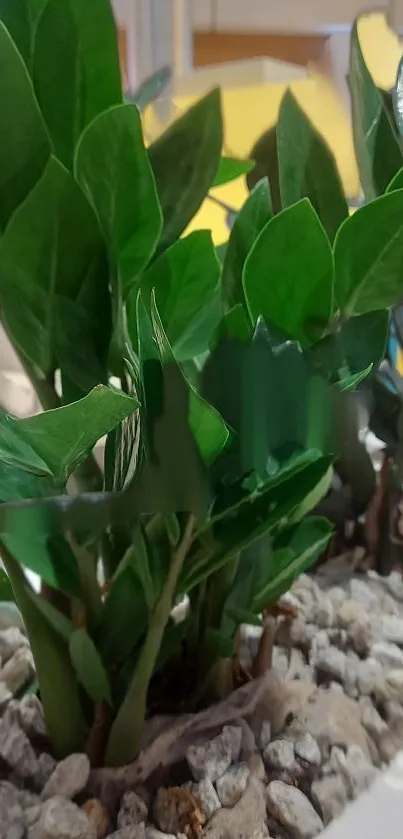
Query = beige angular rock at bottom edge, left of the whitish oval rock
x=246 y=819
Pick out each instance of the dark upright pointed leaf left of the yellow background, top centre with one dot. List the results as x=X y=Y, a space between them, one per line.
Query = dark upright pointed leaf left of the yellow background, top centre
x=185 y=160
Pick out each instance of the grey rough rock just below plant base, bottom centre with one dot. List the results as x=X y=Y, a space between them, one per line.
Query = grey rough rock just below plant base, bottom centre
x=212 y=759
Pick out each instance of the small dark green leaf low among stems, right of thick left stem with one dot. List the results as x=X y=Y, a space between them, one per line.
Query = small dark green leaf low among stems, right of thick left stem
x=88 y=666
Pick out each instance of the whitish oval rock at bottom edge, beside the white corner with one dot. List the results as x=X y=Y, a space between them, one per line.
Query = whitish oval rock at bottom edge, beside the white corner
x=293 y=810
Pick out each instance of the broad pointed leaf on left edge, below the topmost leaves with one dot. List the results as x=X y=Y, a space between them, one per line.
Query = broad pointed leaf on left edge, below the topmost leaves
x=51 y=246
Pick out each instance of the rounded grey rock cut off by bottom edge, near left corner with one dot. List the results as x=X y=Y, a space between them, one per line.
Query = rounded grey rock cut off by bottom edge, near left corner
x=61 y=819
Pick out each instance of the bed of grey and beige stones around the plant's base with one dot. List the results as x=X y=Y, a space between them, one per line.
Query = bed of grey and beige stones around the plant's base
x=331 y=720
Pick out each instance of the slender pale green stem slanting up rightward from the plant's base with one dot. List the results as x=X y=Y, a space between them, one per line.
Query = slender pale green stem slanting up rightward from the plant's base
x=124 y=741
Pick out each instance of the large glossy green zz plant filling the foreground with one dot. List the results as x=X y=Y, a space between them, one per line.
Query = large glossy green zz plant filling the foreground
x=220 y=437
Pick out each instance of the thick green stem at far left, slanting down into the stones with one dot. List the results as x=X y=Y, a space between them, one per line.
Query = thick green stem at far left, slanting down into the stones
x=55 y=674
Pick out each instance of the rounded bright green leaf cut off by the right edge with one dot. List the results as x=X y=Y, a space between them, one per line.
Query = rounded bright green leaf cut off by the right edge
x=368 y=254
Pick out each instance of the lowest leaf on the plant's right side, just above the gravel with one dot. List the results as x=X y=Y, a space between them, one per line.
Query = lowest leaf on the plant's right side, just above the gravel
x=294 y=551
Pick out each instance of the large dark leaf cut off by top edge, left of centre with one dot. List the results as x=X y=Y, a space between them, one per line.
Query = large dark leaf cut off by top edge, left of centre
x=76 y=68
